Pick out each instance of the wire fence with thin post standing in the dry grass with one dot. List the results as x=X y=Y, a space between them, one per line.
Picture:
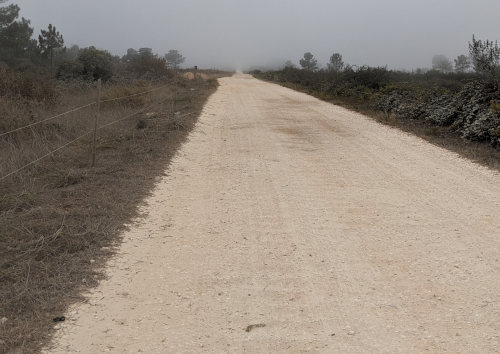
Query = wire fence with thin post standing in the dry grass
x=96 y=127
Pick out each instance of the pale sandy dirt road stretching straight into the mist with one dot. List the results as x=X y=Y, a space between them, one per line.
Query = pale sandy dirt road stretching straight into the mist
x=327 y=231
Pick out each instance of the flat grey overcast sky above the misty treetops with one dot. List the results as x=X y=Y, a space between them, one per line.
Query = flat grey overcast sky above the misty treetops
x=242 y=33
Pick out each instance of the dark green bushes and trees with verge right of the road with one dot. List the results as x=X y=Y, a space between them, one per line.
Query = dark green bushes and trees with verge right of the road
x=455 y=105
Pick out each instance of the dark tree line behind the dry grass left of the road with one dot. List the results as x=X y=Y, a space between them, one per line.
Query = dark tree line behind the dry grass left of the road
x=20 y=50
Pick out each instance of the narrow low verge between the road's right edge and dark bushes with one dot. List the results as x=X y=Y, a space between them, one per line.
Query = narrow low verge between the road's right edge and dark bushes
x=445 y=136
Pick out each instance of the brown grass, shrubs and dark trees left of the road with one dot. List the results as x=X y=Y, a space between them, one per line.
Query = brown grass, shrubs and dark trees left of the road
x=60 y=219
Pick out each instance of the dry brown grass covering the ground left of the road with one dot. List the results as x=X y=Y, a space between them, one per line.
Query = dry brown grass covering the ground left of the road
x=60 y=219
